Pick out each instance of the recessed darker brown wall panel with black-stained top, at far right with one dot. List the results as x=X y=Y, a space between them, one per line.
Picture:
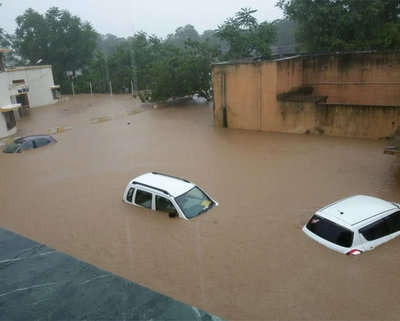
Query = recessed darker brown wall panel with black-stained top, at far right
x=362 y=79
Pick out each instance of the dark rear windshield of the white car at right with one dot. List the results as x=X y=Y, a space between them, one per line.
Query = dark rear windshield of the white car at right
x=330 y=231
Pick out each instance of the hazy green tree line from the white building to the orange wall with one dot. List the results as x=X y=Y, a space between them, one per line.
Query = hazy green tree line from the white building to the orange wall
x=178 y=66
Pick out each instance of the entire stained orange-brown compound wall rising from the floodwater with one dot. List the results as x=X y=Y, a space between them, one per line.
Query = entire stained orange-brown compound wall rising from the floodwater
x=363 y=95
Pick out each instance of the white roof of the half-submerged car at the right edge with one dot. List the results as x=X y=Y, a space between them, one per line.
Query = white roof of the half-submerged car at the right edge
x=355 y=209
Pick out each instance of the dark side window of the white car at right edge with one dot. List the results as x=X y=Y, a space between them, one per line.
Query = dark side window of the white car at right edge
x=382 y=228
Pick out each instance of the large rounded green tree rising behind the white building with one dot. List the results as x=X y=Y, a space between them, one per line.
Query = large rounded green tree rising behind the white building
x=57 y=38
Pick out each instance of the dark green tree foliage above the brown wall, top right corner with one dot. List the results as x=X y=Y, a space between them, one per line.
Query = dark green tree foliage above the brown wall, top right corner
x=331 y=25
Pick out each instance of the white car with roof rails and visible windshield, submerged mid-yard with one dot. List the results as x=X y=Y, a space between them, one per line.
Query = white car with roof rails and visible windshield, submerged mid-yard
x=174 y=195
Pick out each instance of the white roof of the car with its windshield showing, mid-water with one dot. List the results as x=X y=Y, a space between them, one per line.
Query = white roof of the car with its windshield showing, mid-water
x=174 y=186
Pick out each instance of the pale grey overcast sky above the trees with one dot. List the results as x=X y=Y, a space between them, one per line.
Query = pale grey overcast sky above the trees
x=125 y=17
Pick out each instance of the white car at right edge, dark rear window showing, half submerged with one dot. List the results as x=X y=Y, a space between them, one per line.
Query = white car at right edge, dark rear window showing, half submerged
x=355 y=224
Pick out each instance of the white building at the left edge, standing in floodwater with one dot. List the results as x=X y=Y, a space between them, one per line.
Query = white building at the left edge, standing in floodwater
x=22 y=88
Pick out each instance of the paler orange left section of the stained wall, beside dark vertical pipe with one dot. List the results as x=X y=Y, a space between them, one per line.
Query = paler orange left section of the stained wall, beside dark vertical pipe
x=249 y=95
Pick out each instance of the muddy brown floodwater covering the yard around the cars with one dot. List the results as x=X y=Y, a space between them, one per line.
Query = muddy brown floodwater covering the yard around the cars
x=246 y=259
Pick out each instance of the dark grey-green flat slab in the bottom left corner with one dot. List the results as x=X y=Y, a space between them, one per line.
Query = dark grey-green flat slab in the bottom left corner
x=40 y=283
